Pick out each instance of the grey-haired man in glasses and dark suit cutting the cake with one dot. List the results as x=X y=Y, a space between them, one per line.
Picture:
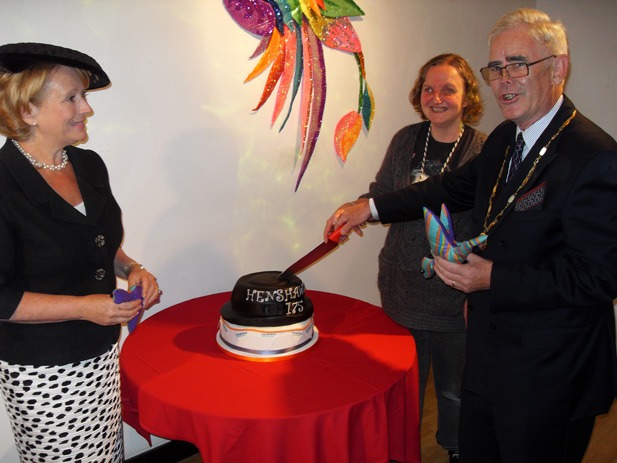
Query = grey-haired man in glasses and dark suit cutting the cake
x=540 y=359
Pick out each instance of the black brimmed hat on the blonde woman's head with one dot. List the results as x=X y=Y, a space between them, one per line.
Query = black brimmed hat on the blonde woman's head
x=16 y=57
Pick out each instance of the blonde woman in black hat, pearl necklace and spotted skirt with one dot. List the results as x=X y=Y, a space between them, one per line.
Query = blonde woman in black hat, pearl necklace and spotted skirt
x=60 y=242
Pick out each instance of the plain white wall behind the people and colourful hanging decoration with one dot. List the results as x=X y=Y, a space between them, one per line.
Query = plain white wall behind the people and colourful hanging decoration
x=206 y=186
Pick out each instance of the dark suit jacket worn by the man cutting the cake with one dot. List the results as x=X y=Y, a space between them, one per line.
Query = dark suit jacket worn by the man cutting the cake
x=541 y=340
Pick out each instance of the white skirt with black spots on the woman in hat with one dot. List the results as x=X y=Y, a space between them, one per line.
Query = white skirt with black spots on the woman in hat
x=65 y=413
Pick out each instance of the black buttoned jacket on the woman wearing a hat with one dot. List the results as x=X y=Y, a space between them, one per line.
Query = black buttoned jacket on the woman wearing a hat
x=47 y=246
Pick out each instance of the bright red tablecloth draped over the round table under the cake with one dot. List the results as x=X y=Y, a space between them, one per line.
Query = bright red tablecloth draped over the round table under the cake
x=351 y=398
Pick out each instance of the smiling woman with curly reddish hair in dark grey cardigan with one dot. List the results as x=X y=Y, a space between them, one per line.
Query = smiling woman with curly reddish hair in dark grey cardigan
x=446 y=97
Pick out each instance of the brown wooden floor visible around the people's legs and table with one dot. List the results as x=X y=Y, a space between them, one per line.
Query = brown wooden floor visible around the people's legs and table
x=602 y=448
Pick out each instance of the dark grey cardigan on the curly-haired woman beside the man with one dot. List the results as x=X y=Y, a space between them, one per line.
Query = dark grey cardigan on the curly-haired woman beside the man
x=406 y=296
